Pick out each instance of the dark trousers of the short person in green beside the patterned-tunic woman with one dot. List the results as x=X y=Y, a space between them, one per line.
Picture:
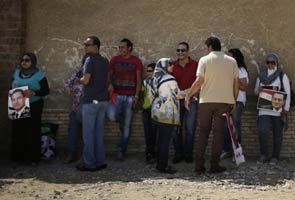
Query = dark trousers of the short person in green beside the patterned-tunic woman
x=150 y=133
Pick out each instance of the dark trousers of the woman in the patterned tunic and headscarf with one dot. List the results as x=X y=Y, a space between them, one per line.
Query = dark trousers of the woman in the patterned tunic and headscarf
x=164 y=137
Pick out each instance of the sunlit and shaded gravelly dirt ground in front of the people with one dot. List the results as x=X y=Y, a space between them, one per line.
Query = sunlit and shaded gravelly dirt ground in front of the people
x=134 y=179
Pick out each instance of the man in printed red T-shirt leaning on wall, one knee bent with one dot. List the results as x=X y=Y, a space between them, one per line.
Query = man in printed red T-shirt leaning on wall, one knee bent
x=125 y=74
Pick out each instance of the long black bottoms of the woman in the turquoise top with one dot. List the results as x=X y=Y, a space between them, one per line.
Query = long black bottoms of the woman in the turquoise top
x=26 y=137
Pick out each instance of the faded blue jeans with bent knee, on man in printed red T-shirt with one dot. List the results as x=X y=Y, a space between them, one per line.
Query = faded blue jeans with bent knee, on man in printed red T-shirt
x=122 y=112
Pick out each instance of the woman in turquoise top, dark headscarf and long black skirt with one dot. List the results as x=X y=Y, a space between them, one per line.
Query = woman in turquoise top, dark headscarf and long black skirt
x=26 y=138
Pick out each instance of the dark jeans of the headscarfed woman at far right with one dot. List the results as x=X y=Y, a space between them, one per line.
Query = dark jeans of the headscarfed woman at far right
x=265 y=123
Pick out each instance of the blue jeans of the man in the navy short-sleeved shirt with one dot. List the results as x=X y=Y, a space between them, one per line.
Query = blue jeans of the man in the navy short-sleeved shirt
x=93 y=133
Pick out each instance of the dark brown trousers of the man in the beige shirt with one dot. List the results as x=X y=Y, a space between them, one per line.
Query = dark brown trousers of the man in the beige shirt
x=210 y=116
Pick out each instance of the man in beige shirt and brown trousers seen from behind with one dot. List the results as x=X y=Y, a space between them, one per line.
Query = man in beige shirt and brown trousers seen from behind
x=217 y=77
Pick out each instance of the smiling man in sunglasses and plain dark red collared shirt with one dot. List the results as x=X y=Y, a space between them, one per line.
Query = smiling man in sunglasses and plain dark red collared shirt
x=184 y=72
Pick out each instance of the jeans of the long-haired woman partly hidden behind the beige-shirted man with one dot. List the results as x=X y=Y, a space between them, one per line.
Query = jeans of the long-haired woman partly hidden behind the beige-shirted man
x=238 y=126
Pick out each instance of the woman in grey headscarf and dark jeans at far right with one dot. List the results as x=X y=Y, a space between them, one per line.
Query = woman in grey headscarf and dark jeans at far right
x=272 y=78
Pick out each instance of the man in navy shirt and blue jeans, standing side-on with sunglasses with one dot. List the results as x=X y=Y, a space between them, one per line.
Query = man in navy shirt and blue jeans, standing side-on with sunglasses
x=94 y=104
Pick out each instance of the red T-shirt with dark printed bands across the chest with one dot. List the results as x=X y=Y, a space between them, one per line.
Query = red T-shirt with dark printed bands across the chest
x=124 y=74
